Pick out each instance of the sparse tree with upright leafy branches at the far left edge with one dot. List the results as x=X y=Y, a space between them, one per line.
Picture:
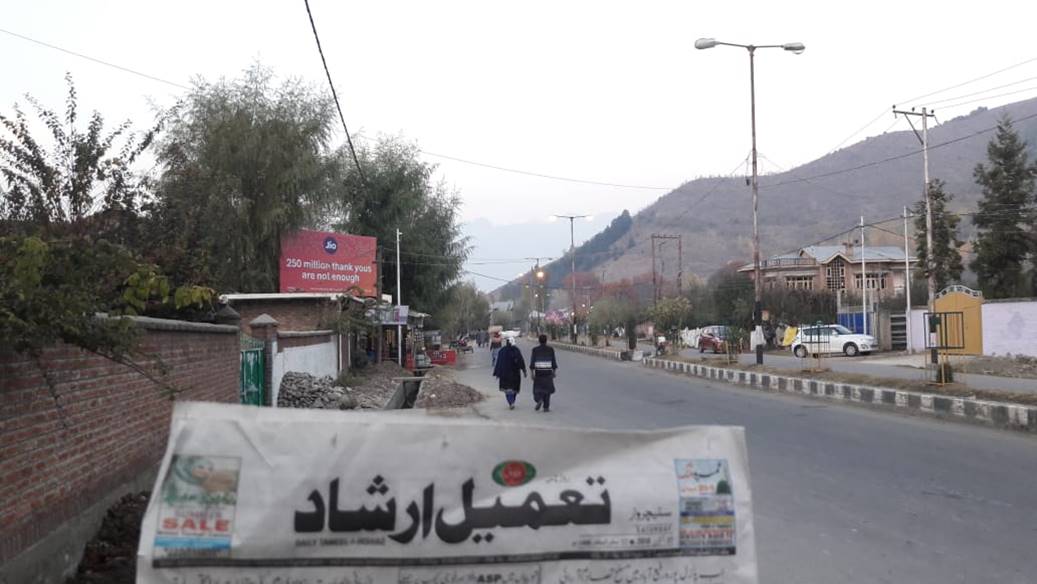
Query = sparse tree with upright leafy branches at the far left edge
x=85 y=185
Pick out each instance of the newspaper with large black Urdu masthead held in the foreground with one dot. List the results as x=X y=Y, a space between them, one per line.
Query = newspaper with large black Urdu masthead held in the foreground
x=263 y=496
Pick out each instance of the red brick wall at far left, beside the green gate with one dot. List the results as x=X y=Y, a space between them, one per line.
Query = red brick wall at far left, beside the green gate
x=108 y=425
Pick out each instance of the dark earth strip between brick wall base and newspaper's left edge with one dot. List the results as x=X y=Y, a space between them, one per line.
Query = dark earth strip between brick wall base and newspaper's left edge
x=111 y=557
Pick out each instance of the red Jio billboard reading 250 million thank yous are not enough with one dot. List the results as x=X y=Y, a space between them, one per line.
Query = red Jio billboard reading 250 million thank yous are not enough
x=323 y=262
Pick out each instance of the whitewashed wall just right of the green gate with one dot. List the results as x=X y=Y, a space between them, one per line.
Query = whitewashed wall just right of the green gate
x=310 y=352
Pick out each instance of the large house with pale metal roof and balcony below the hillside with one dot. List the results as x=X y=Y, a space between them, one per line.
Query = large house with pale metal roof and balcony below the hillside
x=837 y=269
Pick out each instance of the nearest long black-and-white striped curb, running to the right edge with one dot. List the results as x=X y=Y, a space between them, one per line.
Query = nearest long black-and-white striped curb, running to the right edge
x=993 y=413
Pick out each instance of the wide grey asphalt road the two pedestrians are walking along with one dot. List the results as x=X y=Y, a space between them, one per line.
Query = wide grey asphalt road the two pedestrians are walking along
x=842 y=494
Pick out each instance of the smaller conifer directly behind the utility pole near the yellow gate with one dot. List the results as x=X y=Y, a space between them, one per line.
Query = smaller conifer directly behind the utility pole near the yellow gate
x=946 y=258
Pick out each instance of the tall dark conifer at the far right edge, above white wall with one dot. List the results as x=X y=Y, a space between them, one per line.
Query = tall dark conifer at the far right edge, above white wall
x=1006 y=215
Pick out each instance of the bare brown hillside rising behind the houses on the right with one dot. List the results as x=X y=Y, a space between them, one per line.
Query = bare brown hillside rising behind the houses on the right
x=875 y=178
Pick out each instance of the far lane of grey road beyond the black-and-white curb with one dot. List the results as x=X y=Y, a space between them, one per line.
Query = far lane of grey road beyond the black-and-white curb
x=864 y=367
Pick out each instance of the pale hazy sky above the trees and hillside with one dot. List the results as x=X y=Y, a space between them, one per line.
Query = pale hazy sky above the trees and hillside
x=597 y=91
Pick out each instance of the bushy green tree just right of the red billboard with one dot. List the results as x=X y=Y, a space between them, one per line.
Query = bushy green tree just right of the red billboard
x=398 y=192
